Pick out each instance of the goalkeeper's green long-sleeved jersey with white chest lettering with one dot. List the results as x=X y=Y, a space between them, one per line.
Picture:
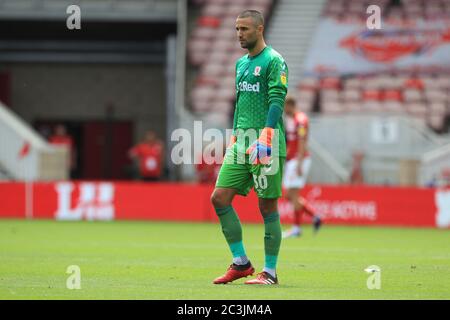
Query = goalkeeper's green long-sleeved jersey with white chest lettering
x=261 y=81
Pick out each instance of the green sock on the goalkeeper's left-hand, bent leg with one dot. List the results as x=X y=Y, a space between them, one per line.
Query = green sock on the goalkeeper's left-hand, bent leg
x=232 y=230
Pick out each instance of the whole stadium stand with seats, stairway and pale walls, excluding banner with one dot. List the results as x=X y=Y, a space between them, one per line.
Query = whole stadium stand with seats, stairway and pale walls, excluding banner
x=414 y=98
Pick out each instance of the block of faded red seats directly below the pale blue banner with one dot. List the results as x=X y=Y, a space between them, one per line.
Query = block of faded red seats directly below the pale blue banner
x=422 y=96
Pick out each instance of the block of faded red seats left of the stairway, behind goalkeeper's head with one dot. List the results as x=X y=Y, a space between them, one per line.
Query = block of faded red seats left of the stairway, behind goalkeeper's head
x=213 y=50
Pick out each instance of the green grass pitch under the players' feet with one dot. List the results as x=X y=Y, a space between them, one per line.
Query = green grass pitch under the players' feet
x=159 y=260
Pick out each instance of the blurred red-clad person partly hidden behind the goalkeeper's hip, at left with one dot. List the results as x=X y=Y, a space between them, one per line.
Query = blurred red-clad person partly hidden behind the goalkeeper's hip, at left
x=208 y=168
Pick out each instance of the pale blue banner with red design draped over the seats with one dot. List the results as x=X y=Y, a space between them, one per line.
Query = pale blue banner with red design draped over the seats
x=352 y=48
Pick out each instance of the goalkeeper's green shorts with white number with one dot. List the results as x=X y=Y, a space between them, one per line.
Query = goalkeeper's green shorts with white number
x=237 y=173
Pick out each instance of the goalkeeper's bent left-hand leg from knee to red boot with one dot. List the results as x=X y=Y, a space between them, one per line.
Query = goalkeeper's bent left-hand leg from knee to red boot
x=221 y=199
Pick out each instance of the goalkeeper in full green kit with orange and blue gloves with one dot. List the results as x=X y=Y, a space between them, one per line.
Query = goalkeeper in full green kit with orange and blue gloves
x=257 y=150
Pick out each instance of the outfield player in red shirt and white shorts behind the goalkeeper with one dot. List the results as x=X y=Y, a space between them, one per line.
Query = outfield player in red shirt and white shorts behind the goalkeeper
x=298 y=163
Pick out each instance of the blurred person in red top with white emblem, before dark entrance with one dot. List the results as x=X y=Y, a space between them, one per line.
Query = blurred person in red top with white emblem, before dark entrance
x=148 y=155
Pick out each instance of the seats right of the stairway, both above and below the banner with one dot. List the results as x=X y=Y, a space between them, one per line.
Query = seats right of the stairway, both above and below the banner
x=422 y=94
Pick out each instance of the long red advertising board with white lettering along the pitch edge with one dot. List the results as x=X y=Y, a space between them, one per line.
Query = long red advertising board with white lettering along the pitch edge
x=348 y=205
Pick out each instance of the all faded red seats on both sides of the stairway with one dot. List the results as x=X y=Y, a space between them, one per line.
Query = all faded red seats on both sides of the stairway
x=424 y=95
